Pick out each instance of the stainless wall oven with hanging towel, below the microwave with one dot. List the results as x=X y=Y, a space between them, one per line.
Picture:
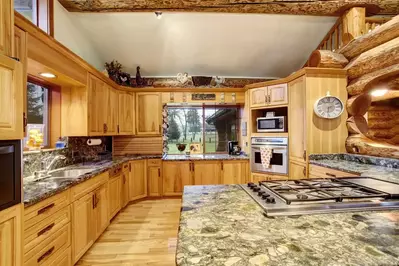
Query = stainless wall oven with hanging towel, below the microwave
x=279 y=159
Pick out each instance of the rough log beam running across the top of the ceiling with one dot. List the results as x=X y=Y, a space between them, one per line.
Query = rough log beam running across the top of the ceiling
x=293 y=7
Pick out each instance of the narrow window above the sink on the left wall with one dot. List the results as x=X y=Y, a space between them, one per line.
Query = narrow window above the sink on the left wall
x=38 y=117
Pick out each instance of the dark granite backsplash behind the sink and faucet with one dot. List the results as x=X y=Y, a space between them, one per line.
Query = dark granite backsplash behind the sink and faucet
x=77 y=151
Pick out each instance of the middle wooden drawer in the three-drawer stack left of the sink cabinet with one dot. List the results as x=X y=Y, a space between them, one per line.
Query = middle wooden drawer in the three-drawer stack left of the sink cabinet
x=44 y=229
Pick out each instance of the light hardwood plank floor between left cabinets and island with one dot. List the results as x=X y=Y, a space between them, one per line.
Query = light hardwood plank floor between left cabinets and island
x=144 y=233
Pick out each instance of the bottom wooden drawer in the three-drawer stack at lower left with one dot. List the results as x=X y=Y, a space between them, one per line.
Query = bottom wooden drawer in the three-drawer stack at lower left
x=48 y=249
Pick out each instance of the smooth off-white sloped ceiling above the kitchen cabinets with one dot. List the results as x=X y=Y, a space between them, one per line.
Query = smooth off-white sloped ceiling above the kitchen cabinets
x=229 y=45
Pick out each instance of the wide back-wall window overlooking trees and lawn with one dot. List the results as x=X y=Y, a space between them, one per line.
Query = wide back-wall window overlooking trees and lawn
x=210 y=126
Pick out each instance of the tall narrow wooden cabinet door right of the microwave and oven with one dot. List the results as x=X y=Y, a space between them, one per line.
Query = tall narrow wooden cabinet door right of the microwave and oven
x=297 y=119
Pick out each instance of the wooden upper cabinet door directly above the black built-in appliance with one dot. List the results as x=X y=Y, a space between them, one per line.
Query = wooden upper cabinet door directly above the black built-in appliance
x=11 y=98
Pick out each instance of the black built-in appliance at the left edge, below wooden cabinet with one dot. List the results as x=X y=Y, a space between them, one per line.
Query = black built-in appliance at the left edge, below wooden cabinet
x=10 y=176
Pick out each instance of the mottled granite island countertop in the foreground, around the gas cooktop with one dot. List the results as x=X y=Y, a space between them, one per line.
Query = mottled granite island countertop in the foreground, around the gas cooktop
x=222 y=225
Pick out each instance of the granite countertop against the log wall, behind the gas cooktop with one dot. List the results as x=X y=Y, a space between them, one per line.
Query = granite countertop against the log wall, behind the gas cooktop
x=370 y=166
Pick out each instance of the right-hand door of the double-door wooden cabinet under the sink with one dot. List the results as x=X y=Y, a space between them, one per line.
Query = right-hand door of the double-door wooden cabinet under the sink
x=101 y=209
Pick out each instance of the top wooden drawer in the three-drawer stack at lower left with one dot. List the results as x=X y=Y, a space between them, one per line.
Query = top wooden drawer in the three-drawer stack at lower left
x=46 y=208
